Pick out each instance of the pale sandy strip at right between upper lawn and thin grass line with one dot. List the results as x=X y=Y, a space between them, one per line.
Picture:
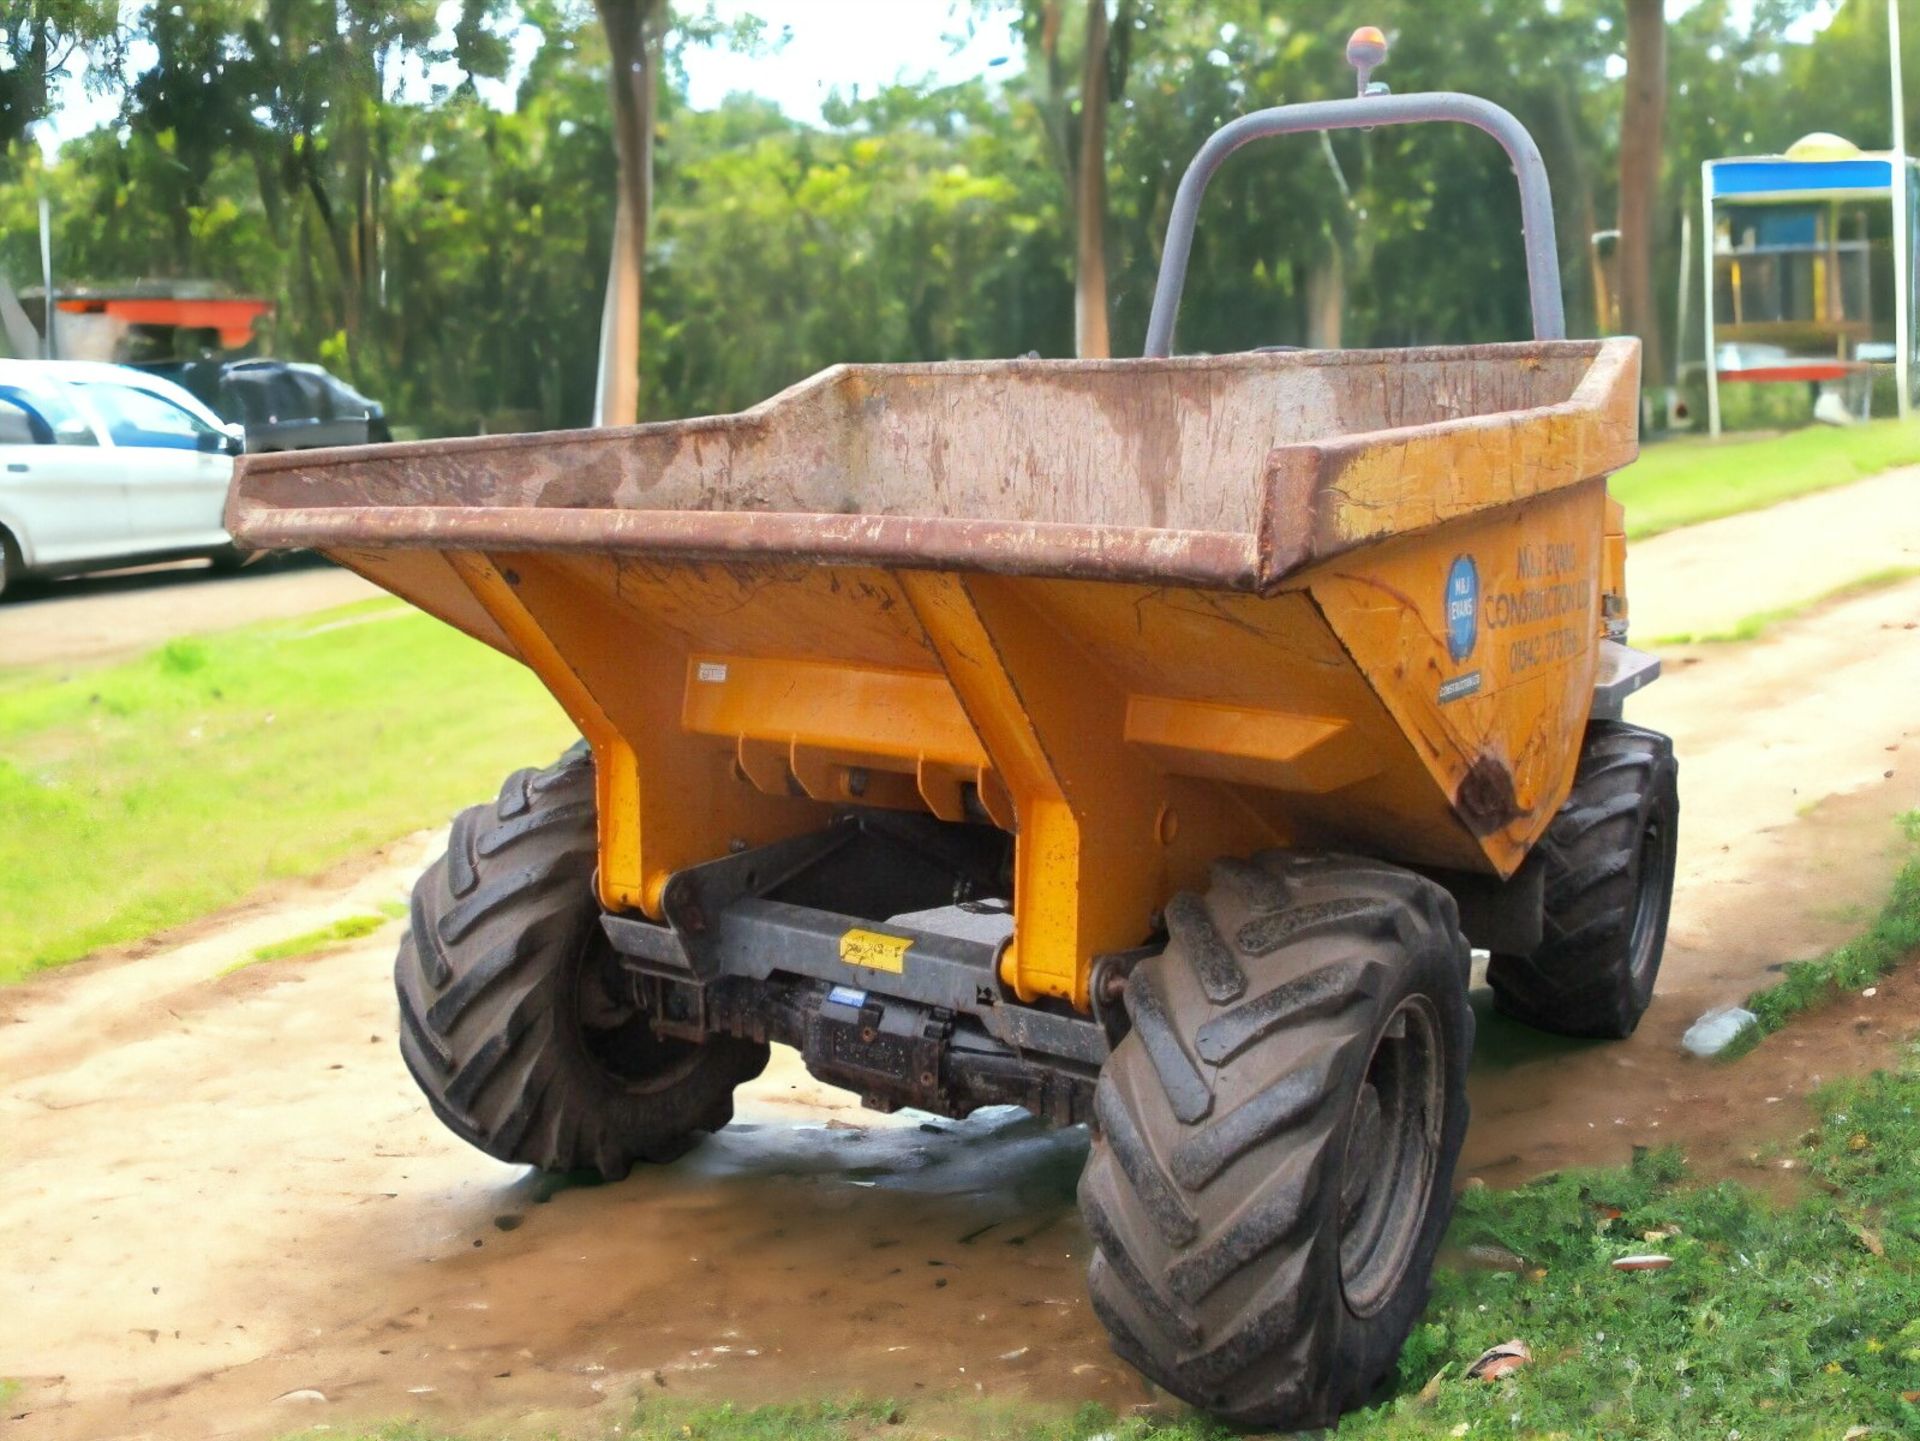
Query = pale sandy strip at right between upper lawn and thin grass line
x=1706 y=580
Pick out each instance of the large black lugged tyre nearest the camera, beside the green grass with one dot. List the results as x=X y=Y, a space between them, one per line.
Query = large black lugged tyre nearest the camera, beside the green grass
x=1276 y=1137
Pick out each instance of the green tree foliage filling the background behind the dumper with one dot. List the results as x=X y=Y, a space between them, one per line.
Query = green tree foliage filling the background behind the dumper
x=448 y=254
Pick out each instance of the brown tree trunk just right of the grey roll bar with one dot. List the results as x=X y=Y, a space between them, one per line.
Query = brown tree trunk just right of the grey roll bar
x=1641 y=179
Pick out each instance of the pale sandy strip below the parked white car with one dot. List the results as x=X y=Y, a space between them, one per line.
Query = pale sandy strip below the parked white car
x=97 y=619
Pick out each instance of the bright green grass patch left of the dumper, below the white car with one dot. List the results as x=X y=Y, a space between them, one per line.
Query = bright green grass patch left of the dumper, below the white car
x=156 y=791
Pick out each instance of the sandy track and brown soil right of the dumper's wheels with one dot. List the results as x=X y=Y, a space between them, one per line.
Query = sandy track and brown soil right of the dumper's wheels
x=1796 y=751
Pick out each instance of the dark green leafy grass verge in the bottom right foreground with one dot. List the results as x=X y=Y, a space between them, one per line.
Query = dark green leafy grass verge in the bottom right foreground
x=1775 y=1319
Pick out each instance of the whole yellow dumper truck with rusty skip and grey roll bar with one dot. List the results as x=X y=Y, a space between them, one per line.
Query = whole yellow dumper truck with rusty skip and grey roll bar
x=1138 y=742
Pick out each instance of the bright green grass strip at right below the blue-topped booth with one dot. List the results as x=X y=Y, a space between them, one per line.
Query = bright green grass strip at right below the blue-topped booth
x=1683 y=483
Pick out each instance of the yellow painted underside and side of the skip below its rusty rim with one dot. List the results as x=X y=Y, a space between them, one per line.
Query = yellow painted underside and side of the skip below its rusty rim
x=727 y=711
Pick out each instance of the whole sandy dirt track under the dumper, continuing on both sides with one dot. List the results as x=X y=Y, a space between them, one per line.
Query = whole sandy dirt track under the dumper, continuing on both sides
x=229 y=1216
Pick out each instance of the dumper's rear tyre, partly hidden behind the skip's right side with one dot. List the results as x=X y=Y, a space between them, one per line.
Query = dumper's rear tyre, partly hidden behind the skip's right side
x=1610 y=884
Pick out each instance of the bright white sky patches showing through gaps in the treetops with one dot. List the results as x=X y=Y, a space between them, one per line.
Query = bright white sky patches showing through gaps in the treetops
x=817 y=47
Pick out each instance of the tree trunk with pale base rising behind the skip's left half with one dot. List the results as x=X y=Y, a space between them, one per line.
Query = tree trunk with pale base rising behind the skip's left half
x=633 y=39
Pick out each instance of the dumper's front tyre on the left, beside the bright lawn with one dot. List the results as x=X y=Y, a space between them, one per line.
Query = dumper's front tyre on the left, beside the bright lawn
x=516 y=1020
